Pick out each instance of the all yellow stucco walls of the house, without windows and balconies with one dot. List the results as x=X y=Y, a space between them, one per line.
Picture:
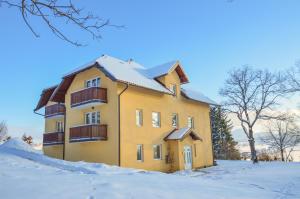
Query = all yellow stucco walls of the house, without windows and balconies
x=131 y=135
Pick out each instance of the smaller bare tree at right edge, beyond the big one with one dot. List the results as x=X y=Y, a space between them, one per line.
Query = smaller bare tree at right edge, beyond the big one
x=283 y=135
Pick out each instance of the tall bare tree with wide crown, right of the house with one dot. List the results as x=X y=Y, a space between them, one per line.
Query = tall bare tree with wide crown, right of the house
x=250 y=95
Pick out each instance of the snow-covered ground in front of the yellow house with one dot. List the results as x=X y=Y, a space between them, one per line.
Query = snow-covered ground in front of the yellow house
x=26 y=173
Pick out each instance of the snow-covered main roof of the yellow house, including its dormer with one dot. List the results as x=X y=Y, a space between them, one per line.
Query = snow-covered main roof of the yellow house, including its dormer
x=133 y=73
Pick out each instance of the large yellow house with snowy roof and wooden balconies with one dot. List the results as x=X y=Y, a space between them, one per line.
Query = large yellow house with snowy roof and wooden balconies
x=121 y=113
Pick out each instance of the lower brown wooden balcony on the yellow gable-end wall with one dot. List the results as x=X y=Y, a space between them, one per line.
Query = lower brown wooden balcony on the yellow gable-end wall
x=92 y=132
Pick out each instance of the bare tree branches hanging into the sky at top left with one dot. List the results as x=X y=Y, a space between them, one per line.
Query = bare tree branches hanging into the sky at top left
x=49 y=10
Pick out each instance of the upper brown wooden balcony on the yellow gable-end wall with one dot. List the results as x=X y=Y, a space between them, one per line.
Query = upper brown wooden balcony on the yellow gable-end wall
x=89 y=97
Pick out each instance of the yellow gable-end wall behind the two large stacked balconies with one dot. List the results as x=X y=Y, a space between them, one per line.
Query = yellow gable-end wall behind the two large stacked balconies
x=95 y=151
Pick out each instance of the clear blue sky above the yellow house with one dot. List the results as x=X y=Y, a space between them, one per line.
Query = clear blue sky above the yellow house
x=209 y=37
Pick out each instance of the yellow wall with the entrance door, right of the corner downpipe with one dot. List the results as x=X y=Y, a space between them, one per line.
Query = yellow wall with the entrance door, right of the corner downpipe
x=150 y=101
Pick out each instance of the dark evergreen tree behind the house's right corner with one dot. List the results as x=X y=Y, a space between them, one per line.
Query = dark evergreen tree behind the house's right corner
x=223 y=142
